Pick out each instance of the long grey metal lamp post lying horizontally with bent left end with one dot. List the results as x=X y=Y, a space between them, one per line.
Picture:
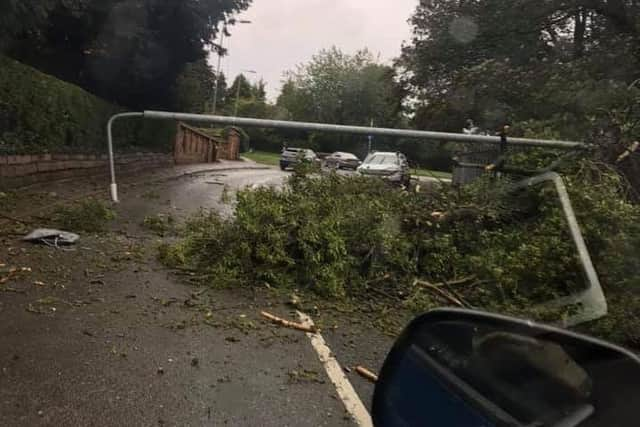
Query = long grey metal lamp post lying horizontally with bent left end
x=324 y=127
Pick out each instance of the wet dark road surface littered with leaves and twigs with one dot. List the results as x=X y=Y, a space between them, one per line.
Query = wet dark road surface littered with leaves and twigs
x=104 y=335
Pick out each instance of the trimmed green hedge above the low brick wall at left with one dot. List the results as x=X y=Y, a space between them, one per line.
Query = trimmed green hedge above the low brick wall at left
x=40 y=114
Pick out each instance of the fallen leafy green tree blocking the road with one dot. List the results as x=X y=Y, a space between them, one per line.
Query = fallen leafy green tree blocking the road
x=481 y=246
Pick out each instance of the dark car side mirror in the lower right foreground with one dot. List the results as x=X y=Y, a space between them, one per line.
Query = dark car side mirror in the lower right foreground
x=466 y=368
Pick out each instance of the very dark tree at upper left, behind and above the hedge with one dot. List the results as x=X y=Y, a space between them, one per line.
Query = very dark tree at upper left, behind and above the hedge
x=128 y=51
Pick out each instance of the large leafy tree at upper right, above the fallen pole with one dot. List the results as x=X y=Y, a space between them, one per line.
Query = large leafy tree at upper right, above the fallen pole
x=503 y=60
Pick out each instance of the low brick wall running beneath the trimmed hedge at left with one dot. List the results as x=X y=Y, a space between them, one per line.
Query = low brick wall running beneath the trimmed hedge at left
x=17 y=171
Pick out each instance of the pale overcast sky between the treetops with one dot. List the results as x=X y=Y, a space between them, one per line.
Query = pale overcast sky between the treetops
x=284 y=33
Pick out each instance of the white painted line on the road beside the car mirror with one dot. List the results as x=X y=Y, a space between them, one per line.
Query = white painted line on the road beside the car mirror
x=345 y=390
